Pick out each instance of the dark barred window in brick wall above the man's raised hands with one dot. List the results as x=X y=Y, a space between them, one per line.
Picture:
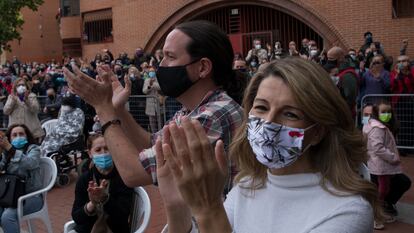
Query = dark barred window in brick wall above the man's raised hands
x=97 y=26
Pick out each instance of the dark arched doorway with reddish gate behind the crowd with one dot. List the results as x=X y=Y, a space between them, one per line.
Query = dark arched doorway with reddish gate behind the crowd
x=245 y=23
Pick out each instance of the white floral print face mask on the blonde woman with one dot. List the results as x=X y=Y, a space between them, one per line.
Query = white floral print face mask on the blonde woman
x=275 y=145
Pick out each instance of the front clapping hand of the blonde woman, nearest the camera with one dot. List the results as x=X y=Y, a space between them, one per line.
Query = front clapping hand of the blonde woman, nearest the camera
x=199 y=171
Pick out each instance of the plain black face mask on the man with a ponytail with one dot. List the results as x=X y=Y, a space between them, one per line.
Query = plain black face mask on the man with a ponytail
x=173 y=80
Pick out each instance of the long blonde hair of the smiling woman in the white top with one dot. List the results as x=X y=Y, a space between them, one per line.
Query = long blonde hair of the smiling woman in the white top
x=342 y=149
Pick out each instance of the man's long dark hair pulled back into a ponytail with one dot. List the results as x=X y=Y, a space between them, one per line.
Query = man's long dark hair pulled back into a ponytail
x=209 y=41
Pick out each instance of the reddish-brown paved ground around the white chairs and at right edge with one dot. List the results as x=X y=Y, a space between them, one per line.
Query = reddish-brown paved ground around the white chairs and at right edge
x=60 y=203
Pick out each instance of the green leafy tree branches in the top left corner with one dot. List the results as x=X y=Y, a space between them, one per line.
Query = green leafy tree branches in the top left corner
x=11 y=20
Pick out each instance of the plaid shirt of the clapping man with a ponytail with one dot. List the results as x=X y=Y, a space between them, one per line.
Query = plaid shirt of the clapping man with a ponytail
x=220 y=116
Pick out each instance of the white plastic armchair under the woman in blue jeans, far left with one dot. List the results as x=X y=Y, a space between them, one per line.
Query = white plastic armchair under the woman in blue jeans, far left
x=49 y=173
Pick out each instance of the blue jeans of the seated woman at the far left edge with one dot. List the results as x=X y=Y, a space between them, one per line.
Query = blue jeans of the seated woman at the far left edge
x=9 y=221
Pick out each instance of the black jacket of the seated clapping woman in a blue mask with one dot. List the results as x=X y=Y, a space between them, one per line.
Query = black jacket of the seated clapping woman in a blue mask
x=118 y=207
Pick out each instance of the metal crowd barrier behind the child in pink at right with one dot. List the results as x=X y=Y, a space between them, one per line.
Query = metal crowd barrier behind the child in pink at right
x=403 y=106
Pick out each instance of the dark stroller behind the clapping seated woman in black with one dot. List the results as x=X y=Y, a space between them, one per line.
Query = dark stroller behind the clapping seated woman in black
x=66 y=159
